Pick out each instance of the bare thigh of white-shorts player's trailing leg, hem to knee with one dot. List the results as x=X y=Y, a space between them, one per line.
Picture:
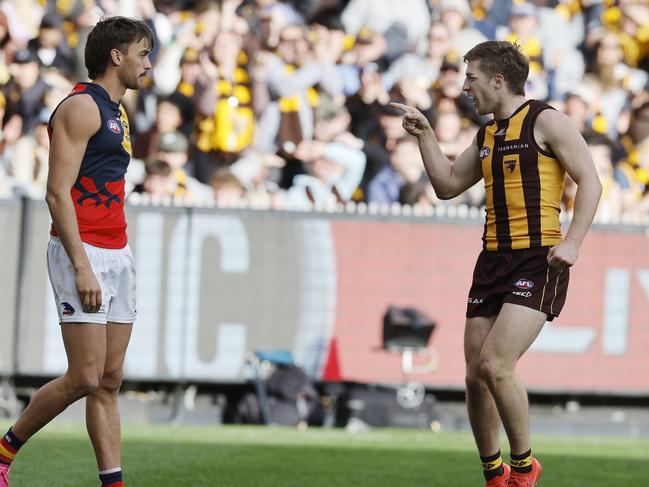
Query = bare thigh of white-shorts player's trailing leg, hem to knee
x=85 y=347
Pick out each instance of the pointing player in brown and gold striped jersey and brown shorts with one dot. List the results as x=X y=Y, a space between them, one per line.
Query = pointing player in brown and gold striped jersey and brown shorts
x=521 y=276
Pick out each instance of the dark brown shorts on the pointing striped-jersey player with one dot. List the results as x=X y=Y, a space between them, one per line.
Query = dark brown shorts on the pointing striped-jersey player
x=519 y=277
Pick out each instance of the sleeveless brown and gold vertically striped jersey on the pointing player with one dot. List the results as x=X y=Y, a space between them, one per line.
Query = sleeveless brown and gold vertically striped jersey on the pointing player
x=523 y=183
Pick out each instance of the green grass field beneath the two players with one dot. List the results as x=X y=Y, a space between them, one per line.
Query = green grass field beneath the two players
x=237 y=456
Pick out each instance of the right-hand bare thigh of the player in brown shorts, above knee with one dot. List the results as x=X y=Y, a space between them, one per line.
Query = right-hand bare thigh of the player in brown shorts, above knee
x=514 y=330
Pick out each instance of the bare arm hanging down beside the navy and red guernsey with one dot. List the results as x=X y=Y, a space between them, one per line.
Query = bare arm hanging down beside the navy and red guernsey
x=74 y=123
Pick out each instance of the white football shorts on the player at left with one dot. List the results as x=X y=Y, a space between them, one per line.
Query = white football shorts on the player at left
x=115 y=271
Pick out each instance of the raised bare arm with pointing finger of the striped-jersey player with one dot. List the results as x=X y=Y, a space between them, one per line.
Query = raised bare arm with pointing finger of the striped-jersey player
x=448 y=178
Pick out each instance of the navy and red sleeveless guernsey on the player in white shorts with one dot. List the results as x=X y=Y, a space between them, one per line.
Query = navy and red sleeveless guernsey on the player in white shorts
x=98 y=192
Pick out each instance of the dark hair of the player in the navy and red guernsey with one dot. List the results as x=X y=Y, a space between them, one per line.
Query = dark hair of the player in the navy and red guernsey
x=113 y=33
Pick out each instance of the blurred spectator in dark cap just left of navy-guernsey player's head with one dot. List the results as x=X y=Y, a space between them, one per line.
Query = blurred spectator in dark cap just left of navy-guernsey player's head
x=50 y=47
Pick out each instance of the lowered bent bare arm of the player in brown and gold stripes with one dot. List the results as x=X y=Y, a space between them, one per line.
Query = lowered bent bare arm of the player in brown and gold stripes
x=558 y=133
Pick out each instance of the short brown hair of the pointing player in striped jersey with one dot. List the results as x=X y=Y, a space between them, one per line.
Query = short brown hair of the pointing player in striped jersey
x=502 y=57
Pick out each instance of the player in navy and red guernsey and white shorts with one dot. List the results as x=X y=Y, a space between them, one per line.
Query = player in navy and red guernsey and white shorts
x=90 y=264
